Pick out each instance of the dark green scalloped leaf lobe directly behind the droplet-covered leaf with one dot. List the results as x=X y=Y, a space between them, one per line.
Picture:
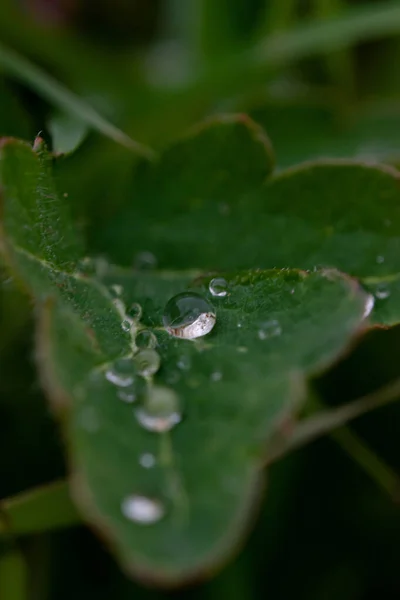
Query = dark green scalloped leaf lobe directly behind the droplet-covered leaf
x=340 y=214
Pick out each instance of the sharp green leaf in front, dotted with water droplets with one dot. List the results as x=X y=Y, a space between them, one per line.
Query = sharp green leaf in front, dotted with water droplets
x=233 y=388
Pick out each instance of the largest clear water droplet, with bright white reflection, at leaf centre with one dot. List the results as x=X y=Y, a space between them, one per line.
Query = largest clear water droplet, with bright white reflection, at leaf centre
x=188 y=315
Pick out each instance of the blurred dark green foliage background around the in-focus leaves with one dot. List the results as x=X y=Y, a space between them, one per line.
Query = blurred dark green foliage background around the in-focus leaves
x=323 y=78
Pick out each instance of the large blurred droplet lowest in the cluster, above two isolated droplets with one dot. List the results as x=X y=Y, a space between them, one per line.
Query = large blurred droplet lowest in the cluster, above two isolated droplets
x=160 y=410
